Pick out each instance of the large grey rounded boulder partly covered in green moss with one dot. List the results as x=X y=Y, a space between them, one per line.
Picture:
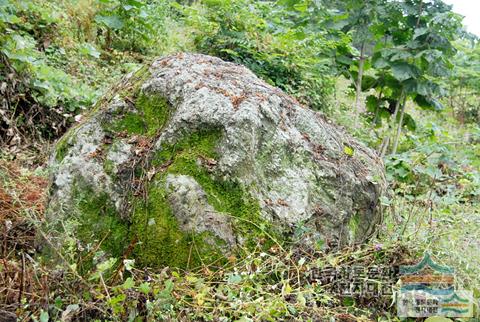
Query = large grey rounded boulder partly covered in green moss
x=193 y=158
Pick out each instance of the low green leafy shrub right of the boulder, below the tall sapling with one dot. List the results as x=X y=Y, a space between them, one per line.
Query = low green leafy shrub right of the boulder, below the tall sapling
x=436 y=164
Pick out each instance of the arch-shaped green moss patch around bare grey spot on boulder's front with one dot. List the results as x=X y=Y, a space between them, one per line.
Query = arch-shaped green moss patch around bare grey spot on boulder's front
x=160 y=241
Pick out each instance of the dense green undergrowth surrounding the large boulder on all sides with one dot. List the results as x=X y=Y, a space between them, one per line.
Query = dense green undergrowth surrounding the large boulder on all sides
x=57 y=58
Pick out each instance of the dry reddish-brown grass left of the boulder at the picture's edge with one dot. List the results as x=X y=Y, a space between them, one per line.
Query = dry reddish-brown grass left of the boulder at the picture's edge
x=22 y=197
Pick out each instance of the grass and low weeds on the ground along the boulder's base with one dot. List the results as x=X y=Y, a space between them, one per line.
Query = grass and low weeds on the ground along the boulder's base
x=262 y=286
